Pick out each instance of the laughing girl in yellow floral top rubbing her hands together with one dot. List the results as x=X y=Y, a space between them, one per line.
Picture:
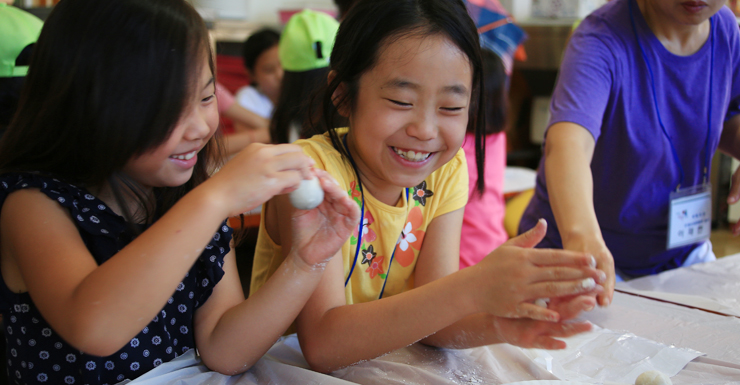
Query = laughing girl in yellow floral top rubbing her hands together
x=410 y=86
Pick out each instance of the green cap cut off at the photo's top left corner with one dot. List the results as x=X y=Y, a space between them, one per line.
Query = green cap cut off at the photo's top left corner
x=18 y=29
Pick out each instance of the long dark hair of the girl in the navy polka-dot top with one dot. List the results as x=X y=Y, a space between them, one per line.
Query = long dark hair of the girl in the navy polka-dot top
x=108 y=80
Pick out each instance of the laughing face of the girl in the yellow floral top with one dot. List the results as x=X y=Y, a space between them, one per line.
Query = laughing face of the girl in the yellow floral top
x=411 y=111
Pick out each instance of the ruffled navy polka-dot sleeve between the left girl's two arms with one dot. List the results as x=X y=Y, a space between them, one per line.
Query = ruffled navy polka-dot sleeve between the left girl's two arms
x=210 y=265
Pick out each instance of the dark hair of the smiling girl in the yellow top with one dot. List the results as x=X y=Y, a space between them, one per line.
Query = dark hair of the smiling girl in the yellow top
x=370 y=25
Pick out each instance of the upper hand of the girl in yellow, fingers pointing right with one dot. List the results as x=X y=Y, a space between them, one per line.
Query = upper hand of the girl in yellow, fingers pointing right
x=515 y=275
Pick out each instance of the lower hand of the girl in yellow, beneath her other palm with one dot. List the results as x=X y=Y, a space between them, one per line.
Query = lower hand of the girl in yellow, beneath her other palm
x=529 y=333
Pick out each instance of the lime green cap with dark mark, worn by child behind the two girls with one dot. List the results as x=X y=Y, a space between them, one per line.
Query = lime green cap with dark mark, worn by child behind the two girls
x=307 y=41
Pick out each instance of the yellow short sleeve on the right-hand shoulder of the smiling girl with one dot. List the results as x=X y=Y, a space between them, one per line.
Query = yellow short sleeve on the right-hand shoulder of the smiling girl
x=451 y=184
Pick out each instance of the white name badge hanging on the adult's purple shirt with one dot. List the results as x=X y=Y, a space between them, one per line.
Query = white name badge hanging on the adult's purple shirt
x=690 y=216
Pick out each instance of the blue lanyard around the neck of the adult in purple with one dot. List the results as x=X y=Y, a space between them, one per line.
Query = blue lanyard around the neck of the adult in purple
x=657 y=108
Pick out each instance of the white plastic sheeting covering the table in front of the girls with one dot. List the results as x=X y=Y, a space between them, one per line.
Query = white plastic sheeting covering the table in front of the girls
x=668 y=332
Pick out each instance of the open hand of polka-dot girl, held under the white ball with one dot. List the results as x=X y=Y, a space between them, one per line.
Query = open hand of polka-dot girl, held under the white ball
x=319 y=233
